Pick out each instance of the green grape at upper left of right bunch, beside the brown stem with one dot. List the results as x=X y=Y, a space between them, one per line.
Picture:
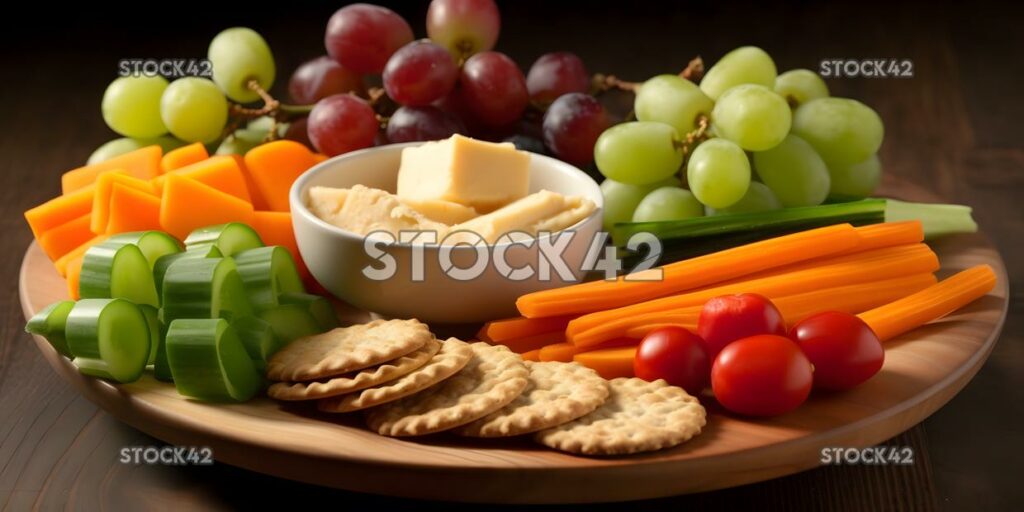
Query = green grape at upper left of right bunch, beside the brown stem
x=673 y=101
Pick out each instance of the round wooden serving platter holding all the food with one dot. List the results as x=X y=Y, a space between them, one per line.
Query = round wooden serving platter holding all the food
x=923 y=371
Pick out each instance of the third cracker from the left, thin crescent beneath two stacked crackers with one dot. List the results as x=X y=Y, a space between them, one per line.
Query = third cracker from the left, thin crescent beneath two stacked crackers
x=453 y=357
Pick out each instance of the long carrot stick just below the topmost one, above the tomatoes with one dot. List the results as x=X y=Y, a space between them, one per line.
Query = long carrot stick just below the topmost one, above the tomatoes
x=872 y=266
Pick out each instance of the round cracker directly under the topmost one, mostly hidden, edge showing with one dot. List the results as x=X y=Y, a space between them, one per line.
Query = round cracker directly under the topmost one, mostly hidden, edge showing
x=356 y=381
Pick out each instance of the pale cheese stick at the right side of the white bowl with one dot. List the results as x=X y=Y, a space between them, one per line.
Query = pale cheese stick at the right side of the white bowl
x=543 y=211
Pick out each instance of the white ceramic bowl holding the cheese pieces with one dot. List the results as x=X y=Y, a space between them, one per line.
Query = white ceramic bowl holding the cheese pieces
x=337 y=258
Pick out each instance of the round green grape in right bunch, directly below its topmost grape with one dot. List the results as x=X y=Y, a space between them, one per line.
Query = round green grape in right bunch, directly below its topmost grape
x=752 y=116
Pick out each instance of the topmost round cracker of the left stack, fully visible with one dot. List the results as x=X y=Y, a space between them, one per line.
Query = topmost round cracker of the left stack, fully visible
x=348 y=350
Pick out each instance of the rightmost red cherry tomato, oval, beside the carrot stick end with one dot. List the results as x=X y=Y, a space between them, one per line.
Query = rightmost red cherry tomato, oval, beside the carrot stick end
x=844 y=351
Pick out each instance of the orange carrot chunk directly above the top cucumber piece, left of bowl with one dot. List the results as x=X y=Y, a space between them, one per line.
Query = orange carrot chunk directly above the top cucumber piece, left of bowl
x=187 y=205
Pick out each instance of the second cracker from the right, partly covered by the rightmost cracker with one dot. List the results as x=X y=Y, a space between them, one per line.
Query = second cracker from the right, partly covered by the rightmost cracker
x=557 y=394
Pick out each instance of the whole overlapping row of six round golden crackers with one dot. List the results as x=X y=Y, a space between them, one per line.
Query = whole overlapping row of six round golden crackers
x=410 y=385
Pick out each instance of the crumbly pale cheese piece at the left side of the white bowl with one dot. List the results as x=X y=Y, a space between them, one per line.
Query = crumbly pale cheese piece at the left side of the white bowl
x=364 y=210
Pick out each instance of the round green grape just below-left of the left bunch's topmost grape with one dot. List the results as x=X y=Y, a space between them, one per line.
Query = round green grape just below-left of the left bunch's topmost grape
x=195 y=110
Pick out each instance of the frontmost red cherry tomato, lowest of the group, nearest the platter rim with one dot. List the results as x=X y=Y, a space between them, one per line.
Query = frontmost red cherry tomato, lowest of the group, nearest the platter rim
x=764 y=375
